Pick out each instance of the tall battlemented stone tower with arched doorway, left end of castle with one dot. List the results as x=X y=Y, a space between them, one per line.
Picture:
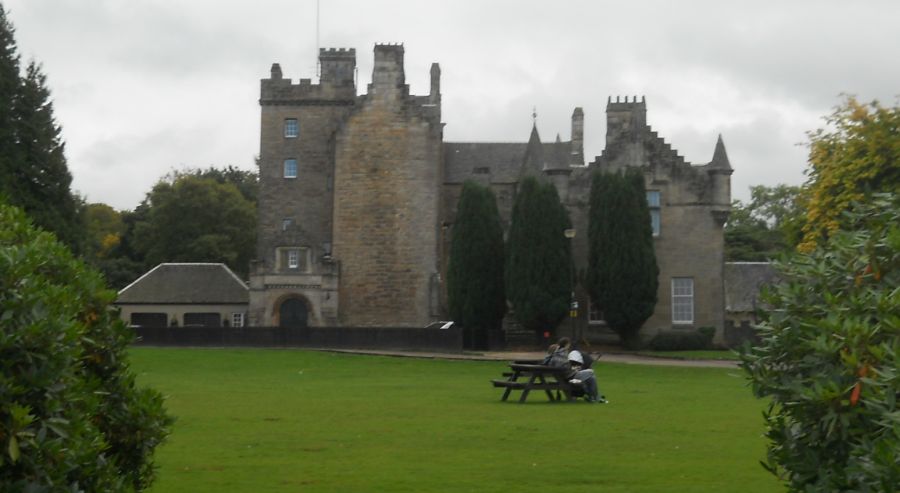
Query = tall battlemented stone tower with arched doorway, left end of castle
x=349 y=196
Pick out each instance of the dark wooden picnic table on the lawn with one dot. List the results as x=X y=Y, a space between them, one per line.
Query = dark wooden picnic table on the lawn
x=529 y=375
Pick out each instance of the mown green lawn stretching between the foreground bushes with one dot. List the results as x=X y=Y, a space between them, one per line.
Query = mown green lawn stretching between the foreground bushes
x=290 y=420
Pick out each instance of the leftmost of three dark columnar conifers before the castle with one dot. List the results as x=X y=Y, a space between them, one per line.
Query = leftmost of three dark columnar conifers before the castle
x=475 y=289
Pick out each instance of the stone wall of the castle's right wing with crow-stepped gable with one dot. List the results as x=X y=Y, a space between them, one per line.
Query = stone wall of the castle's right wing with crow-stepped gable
x=694 y=201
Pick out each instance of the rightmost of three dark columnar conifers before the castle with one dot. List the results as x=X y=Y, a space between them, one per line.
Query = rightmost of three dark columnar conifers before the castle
x=622 y=277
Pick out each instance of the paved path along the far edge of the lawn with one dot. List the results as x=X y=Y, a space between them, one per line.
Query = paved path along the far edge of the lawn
x=631 y=359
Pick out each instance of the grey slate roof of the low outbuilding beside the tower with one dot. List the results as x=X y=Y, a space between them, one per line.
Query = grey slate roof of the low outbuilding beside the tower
x=182 y=283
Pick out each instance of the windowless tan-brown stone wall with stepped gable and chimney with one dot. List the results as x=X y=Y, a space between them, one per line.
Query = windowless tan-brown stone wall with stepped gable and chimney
x=387 y=201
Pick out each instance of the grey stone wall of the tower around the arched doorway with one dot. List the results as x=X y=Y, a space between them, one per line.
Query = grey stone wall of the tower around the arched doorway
x=297 y=212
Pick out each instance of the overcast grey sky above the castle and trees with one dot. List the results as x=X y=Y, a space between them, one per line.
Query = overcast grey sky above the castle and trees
x=142 y=87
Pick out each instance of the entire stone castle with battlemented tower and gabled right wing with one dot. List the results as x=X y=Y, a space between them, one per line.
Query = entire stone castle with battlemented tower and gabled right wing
x=358 y=196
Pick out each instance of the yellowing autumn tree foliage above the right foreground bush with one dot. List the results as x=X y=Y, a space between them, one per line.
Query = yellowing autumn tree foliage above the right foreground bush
x=859 y=155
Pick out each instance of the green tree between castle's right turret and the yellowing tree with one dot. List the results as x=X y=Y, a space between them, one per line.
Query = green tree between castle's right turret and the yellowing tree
x=768 y=226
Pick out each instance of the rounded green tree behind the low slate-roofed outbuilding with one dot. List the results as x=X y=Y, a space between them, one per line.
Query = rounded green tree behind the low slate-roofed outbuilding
x=196 y=220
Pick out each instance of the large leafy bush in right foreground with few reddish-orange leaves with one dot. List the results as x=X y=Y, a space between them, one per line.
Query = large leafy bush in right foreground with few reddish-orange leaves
x=829 y=356
